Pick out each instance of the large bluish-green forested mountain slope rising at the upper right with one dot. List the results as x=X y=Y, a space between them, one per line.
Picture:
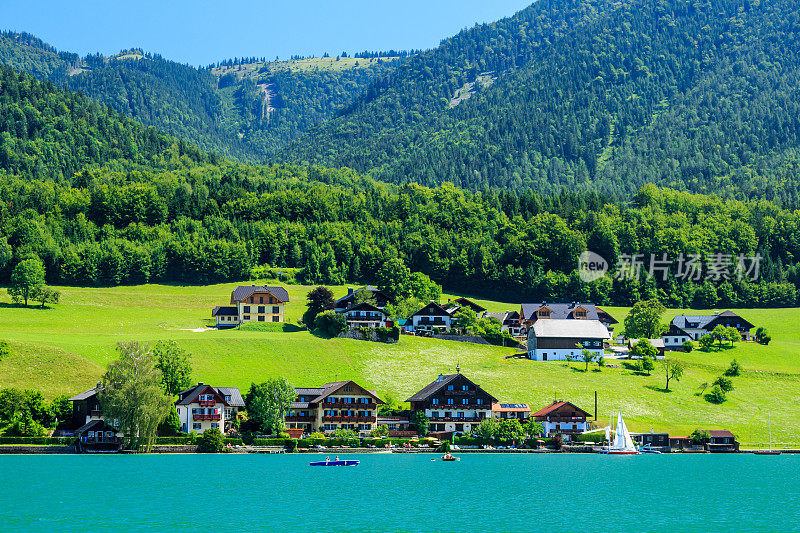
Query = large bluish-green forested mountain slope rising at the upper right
x=699 y=95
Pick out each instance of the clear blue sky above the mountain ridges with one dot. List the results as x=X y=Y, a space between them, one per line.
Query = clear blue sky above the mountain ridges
x=202 y=31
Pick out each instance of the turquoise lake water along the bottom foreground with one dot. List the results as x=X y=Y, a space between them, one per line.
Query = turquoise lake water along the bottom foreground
x=386 y=493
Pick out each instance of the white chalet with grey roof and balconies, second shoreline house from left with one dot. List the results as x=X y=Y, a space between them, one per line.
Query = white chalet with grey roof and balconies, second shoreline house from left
x=203 y=407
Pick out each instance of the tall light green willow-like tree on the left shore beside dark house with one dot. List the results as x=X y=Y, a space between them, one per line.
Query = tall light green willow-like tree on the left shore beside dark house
x=132 y=395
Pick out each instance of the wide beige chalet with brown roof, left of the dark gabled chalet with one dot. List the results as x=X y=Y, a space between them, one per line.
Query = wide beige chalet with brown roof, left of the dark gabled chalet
x=337 y=405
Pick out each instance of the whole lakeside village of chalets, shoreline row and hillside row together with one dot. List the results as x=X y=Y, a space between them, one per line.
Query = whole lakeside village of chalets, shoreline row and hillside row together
x=451 y=412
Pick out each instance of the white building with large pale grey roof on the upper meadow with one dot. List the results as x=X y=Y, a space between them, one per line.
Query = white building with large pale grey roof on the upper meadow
x=557 y=339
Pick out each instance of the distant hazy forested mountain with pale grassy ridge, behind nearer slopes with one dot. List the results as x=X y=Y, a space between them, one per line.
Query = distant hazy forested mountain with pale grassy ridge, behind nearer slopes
x=244 y=118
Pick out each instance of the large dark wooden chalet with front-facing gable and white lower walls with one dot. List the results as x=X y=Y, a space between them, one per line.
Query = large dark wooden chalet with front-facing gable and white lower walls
x=453 y=403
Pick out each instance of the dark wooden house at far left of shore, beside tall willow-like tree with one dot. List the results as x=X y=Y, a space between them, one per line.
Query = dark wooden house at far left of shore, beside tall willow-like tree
x=94 y=434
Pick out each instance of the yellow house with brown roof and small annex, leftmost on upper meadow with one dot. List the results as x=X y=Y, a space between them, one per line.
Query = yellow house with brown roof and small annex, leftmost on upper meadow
x=252 y=303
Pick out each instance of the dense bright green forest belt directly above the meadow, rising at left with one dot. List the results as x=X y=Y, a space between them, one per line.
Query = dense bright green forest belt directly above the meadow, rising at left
x=103 y=200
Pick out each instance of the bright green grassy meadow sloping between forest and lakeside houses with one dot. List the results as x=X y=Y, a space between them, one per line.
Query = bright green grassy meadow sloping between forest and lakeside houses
x=64 y=350
